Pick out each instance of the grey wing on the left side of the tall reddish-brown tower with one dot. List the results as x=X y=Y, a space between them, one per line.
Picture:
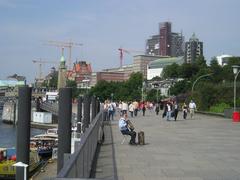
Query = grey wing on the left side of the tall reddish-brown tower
x=153 y=45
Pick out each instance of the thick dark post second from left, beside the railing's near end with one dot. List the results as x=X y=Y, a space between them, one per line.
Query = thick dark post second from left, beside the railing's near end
x=64 y=125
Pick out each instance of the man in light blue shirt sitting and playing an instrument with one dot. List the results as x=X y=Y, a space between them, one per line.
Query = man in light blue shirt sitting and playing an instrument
x=126 y=128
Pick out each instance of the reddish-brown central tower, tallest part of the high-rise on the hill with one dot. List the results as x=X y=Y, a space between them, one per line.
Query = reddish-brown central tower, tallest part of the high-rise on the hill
x=165 y=38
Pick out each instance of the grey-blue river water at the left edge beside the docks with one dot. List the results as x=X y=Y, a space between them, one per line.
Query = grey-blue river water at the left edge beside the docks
x=8 y=134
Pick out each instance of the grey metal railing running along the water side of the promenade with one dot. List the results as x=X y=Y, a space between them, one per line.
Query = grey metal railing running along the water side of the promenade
x=78 y=164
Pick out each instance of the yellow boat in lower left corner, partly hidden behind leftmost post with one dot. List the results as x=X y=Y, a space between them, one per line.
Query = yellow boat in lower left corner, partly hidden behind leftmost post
x=8 y=158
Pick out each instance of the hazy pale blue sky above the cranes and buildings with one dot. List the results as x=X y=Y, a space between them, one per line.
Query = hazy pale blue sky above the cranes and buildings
x=102 y=26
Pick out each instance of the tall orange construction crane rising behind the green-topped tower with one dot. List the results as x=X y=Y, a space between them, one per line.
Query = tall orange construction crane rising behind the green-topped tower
x=63 y=45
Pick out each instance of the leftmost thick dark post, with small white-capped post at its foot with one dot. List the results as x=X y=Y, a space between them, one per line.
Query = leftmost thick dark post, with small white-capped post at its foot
x=23 y=129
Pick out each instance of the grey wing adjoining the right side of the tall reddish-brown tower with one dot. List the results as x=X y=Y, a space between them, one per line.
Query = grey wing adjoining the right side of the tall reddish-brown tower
x=177 y=44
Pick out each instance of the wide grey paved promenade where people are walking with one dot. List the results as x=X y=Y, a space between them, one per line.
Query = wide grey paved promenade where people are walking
x=203 y=148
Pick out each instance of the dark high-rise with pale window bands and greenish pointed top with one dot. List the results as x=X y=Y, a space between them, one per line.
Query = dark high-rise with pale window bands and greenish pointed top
x=193 y=49
